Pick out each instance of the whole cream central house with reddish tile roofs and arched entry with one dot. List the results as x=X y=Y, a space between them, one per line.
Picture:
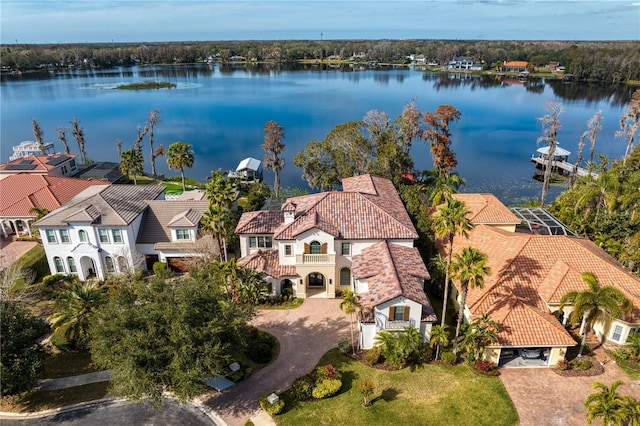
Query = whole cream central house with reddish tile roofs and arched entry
x=360 y=238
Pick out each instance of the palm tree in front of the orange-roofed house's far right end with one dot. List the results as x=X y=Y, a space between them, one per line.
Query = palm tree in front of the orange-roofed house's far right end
x=594 y=304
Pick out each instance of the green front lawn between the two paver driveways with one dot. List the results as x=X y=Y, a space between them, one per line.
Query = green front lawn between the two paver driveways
x=428 y=395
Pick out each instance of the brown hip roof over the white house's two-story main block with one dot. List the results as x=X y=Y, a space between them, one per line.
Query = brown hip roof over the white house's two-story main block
x=117 y=205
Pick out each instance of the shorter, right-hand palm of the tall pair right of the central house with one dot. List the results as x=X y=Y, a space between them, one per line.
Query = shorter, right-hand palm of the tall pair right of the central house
x=470 y=270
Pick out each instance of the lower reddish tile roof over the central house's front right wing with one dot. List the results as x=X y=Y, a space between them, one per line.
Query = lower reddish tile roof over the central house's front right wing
x=392 y=271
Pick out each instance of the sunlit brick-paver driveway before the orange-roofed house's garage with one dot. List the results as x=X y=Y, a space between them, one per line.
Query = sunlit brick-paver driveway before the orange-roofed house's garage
x=542 y=397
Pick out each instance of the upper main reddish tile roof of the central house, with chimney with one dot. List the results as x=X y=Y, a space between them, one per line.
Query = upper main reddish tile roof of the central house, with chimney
x=373 y=210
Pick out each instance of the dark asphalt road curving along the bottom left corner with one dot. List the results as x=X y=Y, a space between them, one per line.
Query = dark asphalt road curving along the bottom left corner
x=123 y=414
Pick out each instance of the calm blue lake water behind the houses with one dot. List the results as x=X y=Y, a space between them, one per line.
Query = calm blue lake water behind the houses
x=222 y=112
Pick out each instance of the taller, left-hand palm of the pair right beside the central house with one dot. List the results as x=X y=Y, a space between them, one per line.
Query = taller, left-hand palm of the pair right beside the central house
x=450 y=221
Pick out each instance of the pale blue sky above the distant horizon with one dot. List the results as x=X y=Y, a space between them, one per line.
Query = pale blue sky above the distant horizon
x=82 y=21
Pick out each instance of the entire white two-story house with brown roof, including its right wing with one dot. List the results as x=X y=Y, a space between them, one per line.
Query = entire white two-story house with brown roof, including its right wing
x=113 y=229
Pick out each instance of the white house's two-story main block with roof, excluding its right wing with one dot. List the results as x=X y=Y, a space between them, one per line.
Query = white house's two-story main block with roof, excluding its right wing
x=95 y=233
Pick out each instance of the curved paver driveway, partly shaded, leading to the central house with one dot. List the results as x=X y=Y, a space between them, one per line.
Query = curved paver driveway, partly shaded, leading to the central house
x=305 y=334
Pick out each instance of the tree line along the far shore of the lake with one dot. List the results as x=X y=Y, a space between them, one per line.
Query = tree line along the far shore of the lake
x=601 y=61
